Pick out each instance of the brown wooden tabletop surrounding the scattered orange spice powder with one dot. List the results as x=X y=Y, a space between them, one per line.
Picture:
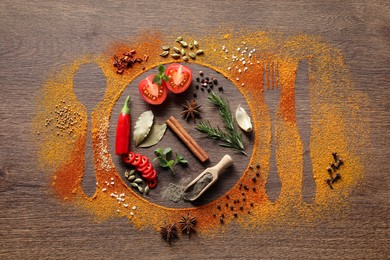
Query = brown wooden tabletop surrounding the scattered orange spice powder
x=37 y=37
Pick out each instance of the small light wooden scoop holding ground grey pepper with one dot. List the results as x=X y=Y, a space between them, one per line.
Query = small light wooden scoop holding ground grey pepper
x=210 y=175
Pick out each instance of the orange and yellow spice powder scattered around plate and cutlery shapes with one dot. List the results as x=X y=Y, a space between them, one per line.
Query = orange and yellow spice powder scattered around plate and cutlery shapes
x=244 y=58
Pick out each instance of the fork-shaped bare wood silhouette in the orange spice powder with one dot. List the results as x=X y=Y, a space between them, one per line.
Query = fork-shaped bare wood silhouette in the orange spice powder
x=271 y=92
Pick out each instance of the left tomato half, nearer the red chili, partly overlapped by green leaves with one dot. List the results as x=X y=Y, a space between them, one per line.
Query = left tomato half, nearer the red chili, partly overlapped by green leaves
x=151 y=92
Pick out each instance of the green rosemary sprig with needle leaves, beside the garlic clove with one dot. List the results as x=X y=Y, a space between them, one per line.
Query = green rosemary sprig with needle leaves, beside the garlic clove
x=231 y=138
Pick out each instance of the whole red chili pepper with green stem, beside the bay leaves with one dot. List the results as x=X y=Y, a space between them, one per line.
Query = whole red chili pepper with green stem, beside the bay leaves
x=123 y=130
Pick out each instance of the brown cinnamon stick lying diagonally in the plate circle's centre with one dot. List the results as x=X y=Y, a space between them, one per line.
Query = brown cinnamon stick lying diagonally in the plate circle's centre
x=185 y=137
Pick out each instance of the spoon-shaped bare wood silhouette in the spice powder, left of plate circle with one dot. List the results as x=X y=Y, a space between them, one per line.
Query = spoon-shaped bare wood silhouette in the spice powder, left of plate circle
x=89 y=85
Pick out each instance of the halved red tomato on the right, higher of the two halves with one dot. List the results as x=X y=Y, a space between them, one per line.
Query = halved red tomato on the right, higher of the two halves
x=180 y=77
